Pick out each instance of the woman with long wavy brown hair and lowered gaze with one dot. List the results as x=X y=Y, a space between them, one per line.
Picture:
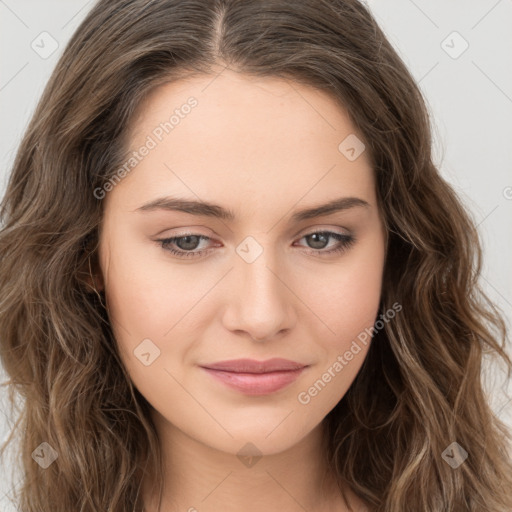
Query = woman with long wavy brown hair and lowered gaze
x=232 y=277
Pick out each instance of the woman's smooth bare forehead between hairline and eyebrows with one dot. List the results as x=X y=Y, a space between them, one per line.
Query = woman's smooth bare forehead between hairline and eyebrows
x=264 y=139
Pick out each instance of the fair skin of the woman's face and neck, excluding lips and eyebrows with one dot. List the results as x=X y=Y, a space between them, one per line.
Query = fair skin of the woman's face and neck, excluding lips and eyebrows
x=263 y=149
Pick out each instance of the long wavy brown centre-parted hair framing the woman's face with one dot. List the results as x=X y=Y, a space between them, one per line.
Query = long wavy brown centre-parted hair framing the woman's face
x=419 y=389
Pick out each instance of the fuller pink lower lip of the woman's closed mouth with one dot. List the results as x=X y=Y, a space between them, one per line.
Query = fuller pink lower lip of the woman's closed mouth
x=256 y=383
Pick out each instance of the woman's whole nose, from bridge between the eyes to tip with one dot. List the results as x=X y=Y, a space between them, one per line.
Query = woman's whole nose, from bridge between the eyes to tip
x=261 y=304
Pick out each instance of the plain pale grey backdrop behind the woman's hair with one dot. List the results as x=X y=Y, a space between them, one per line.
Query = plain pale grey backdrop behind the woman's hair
x=460 y=53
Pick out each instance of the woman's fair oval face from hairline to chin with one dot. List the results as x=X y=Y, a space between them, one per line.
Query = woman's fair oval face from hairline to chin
x=256 y=278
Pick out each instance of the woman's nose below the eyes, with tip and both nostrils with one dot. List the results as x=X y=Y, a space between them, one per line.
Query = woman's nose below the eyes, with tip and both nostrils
x=260 y=304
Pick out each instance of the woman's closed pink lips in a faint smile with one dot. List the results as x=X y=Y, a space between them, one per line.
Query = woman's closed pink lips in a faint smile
x=255 y=377
